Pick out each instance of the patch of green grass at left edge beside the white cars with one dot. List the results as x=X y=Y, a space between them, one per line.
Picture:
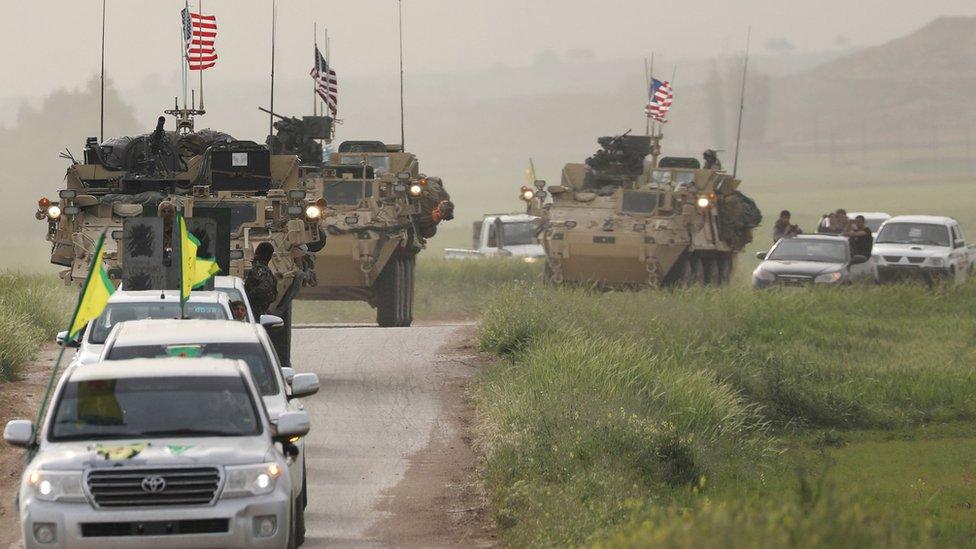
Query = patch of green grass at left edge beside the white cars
x=32 y=308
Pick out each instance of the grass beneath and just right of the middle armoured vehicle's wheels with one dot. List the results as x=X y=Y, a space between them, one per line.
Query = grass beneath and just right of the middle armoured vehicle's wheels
x=445 y=290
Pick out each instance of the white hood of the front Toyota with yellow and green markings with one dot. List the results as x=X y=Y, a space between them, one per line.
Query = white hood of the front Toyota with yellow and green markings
x=156 y=452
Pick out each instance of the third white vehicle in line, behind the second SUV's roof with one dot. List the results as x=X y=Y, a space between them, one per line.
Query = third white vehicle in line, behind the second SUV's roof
x=126 y=305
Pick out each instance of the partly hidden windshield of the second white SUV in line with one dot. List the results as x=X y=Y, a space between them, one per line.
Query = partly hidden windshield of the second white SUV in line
x=262 y=369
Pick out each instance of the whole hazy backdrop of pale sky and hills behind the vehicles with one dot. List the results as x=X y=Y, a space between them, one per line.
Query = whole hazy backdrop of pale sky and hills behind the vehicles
x=494 y=83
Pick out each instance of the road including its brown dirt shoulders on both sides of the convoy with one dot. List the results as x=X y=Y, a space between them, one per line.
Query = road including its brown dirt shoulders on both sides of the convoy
x=389 y=459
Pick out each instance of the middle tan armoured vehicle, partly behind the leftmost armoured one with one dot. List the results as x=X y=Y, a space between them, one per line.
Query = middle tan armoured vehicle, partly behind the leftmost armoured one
x=379 y=209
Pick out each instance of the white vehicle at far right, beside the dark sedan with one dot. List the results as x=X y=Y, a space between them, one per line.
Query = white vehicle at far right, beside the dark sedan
x=931 y=248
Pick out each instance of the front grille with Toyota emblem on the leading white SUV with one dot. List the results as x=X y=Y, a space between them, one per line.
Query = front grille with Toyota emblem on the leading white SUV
x=145 y=487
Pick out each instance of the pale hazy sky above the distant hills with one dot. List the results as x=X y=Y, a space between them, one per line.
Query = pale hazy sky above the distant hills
x=55 y=43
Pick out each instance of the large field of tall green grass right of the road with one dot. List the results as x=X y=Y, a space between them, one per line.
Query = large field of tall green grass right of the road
x=731 y=418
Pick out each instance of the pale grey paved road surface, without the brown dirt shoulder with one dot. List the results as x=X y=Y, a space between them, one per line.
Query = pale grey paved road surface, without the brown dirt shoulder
x=381 y=403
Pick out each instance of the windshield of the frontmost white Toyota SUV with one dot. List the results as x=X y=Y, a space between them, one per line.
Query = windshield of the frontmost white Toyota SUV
x=130 y=408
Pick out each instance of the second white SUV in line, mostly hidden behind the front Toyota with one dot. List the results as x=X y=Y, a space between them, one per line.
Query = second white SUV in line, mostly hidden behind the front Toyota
x=280 y=387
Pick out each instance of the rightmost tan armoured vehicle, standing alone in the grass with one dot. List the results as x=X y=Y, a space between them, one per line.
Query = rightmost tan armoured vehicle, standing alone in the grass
x=621 y=221
